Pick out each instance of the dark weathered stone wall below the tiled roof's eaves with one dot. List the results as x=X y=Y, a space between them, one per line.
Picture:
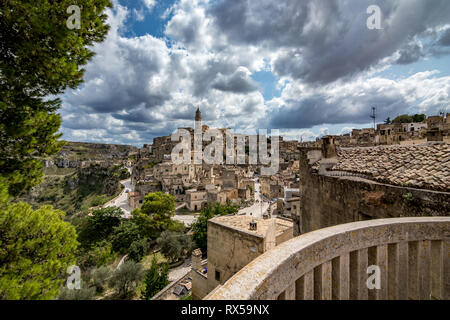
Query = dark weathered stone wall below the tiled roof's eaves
x=327 y=201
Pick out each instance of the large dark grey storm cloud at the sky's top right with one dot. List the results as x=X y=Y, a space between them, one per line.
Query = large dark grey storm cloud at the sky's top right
x=327 y=40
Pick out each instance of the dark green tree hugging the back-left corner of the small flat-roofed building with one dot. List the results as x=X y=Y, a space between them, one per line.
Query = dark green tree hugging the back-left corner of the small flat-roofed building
x=200 y=228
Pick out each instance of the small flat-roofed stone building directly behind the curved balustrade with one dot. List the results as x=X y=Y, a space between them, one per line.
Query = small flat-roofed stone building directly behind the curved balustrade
x=233 y=242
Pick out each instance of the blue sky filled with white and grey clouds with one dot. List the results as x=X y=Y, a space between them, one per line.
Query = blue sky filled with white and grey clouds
x=306 y=67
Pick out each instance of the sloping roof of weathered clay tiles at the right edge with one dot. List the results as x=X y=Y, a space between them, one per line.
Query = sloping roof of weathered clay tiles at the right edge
x=422 y=166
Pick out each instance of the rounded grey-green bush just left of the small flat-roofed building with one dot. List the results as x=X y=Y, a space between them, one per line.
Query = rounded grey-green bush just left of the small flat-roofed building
x=175 y=245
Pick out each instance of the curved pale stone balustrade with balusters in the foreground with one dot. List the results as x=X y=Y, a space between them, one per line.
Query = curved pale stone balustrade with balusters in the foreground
x=332 y=263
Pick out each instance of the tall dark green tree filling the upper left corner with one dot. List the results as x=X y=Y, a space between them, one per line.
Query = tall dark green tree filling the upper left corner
x=39 y=57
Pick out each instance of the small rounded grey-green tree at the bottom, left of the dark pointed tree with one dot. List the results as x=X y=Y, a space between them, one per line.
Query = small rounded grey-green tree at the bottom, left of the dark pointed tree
x=126 y=278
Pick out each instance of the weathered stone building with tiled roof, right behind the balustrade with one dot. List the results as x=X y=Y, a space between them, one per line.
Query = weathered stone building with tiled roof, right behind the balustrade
x=372 y=183
